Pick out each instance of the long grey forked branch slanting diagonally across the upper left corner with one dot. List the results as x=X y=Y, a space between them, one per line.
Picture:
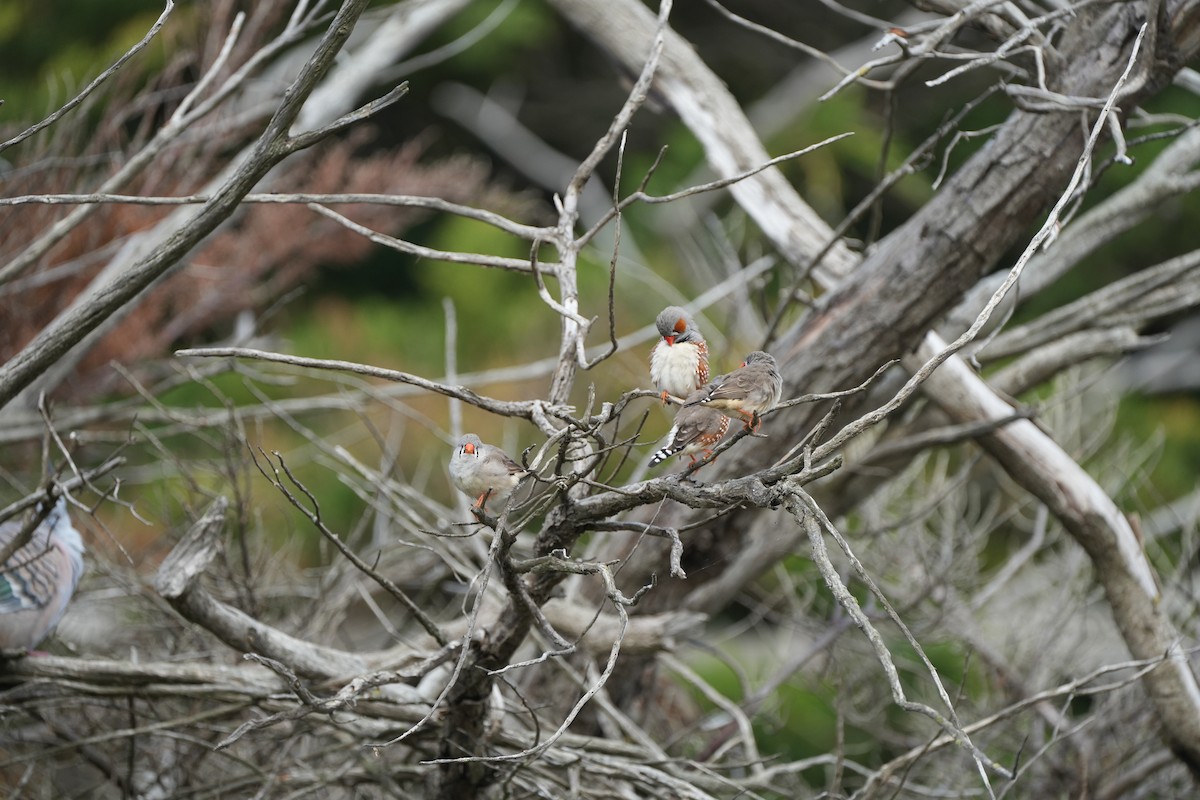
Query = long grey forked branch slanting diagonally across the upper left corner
x=272 y=148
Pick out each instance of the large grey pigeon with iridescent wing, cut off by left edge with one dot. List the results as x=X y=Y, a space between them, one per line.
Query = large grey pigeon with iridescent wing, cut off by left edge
x=38 y=581
